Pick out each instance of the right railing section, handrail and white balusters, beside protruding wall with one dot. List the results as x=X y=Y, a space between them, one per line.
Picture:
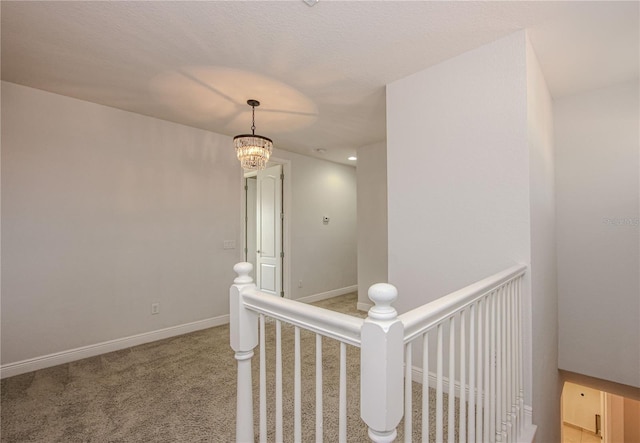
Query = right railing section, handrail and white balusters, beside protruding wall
x=475 y=335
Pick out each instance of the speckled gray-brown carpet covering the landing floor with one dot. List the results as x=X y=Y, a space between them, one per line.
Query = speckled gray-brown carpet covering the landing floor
x=180 y=389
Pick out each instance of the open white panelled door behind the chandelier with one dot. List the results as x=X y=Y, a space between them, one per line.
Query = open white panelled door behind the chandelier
x=269 y=227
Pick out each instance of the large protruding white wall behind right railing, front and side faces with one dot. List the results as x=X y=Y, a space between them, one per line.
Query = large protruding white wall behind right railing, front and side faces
x=460 y=189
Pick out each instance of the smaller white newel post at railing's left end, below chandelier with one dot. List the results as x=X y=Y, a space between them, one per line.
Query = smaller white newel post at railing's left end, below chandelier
x=243 y=326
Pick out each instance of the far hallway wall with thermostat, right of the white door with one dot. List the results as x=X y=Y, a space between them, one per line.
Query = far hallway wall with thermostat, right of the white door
x=323 y=256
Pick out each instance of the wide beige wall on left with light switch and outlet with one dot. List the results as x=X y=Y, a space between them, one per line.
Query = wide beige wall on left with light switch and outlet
x=105 y=212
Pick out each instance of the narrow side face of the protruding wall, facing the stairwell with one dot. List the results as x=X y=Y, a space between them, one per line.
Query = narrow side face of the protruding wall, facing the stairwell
x=543 y=272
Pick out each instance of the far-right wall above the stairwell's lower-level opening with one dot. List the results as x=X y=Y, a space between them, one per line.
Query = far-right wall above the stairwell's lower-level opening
x=597 y=173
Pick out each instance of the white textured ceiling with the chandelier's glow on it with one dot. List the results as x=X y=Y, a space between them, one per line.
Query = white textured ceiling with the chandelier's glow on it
x=320 y=72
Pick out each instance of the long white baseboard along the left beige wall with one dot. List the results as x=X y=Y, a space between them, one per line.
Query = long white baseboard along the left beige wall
x=58 y=358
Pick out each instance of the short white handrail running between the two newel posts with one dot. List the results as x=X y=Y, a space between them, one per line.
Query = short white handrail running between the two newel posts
x=336 y=325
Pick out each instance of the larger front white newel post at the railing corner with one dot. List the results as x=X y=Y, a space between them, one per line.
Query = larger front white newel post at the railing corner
x=381 y=363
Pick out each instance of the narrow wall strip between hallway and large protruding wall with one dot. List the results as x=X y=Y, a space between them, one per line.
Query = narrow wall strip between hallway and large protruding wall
x=372 y=218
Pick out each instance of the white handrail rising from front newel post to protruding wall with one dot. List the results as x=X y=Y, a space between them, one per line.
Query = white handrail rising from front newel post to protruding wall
x=421 y=319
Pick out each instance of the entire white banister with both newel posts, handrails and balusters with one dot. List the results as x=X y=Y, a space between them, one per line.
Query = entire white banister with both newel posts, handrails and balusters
x=479 y=365
